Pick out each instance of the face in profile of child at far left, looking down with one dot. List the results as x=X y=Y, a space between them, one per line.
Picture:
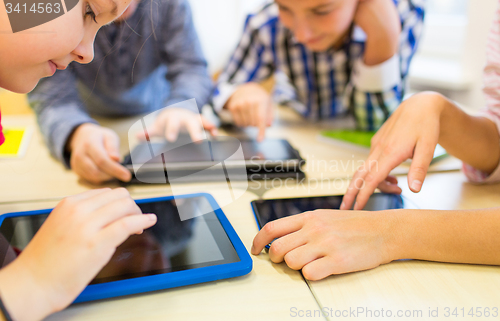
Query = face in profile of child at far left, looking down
x=29 y=55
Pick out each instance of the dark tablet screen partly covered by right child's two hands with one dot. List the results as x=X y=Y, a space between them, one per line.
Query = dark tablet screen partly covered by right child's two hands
x=270 y=210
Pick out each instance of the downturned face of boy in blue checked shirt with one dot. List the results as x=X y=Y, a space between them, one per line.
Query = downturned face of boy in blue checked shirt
x=318 y=24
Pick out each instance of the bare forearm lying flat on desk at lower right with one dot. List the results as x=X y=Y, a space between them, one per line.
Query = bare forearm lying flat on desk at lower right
x=470 y=236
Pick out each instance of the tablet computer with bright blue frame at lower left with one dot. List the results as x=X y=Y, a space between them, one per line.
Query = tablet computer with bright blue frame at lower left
x=170 y=254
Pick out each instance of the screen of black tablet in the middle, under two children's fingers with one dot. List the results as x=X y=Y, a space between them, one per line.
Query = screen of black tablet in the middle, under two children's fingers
x=214 y=151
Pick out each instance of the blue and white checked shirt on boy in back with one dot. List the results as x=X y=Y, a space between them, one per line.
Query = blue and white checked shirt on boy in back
x=326 y=84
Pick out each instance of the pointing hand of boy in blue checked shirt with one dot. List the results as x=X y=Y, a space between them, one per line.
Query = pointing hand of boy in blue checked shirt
x=251 y=105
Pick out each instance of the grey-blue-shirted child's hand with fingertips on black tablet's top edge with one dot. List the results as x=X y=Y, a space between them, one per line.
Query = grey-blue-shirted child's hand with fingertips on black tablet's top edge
x=170 y=121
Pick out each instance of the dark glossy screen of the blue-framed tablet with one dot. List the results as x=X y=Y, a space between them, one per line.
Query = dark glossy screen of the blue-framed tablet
x=171 y=245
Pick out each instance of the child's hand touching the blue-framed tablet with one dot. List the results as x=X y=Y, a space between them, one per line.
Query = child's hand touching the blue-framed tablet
x=76 y=241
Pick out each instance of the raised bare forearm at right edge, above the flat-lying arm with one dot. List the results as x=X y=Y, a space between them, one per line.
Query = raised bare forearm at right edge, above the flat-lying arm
x=474 y=140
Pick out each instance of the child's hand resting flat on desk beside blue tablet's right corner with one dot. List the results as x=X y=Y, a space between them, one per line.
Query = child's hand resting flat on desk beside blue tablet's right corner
x=326 y=242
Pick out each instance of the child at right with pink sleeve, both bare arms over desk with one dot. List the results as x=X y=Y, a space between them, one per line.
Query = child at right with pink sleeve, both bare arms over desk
x=328 y=242
